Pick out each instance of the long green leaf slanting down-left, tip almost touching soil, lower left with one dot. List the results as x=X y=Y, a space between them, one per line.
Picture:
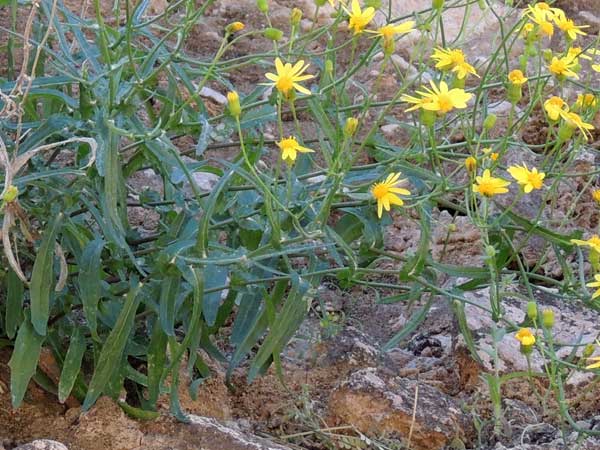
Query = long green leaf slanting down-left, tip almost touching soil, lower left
x=111 y=355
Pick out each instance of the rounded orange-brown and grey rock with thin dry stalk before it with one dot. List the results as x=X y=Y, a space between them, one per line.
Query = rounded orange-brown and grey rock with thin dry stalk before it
x=378 y=405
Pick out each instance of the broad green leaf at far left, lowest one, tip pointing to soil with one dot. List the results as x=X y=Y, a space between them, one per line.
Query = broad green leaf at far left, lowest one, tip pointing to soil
x=23 y=361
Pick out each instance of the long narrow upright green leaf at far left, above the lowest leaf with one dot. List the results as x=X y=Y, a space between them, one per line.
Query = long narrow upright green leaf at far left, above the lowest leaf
x=41 y=278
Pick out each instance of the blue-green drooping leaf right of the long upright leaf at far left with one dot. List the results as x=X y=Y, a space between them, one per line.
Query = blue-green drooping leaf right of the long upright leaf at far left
x=90 y=283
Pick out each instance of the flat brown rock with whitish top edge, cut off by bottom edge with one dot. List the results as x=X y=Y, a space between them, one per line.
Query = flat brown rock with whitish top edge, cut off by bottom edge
x=202 y=433
